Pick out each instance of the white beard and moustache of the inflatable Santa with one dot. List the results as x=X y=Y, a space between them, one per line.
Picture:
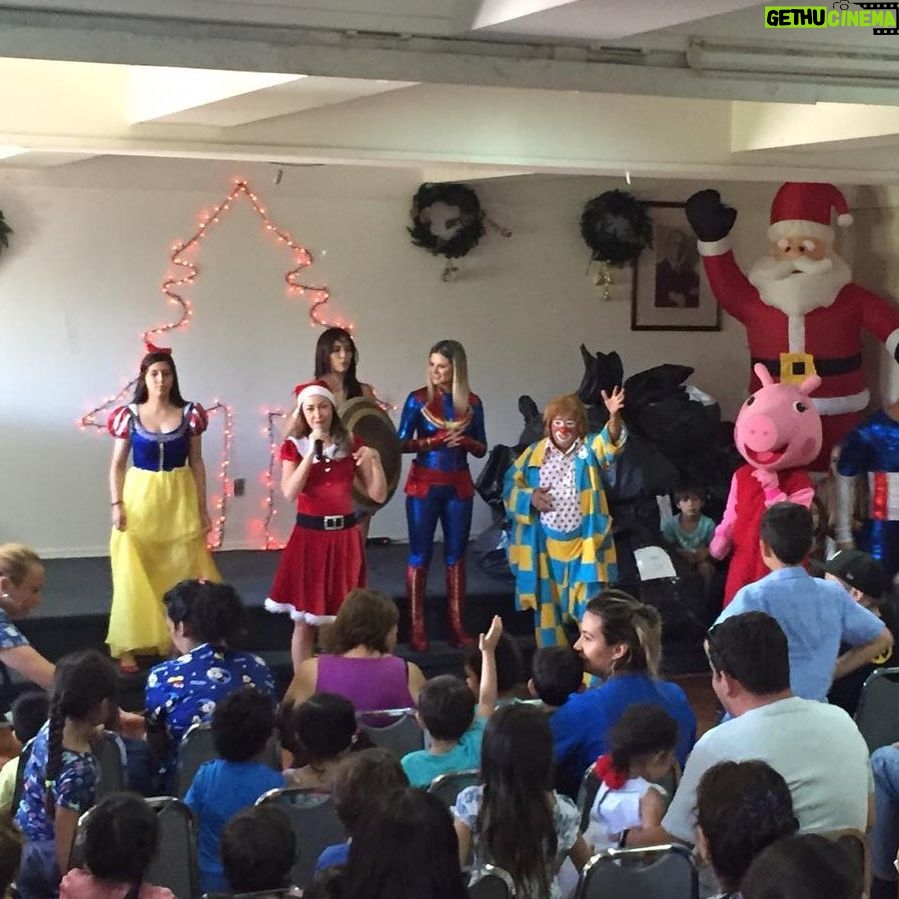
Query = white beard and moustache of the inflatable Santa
x=816 y=284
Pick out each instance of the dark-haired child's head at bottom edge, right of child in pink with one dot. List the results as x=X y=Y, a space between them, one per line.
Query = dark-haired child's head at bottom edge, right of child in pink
x=259 y=850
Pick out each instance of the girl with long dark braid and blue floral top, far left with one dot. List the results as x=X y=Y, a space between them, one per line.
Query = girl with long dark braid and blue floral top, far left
x=60 y=777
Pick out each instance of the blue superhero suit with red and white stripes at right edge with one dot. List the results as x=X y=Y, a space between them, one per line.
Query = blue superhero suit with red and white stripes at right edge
x=872 y=449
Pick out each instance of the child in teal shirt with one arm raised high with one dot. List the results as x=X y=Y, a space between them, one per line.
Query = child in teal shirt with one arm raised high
x=446 y=711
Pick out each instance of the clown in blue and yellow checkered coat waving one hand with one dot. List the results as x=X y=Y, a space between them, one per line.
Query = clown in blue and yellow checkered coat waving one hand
x=561 y=550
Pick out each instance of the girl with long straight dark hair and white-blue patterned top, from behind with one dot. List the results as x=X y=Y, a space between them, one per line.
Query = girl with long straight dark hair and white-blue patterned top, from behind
x=514 y=818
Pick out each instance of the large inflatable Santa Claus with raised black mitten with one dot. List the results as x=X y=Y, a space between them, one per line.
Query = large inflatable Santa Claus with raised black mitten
x=802 y=313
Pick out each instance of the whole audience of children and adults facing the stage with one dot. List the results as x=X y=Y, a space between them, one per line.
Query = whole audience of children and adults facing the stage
x=594 y=751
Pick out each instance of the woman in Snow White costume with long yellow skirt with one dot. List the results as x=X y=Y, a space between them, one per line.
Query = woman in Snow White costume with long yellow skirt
x=159 y=513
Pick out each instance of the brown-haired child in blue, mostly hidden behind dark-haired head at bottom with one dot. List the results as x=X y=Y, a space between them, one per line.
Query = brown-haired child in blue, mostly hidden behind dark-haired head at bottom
x=362 y=779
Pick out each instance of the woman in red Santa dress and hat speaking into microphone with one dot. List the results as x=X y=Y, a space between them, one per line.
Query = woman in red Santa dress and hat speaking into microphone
x=324 y=558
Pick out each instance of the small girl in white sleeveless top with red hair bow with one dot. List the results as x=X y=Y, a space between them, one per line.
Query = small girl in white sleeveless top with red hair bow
x=641 y=752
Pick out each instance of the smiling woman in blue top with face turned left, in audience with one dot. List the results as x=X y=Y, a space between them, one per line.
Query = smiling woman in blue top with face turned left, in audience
x=620 y=642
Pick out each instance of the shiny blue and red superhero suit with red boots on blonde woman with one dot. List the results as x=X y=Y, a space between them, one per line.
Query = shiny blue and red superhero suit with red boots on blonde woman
x=439 y=488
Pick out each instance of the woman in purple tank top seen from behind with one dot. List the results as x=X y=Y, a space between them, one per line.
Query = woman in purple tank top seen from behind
x=359 y=662
